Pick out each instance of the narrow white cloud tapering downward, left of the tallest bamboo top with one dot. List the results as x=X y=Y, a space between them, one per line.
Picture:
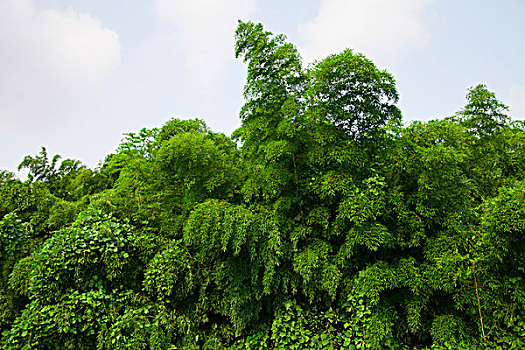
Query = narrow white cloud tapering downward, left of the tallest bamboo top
x=205 y=32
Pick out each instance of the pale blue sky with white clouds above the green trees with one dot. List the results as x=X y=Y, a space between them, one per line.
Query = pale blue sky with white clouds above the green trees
x=77 y=74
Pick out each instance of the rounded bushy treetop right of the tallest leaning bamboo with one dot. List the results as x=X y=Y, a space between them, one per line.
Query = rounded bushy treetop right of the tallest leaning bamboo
x=348 y=90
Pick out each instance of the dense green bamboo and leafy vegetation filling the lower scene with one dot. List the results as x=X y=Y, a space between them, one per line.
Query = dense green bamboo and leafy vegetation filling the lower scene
x=323 y=222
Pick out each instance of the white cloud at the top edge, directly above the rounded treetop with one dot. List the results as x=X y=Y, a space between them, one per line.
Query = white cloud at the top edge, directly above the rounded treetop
x=377 y=28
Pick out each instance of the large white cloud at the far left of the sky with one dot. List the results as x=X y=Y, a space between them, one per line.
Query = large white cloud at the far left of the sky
x=51 y=61
